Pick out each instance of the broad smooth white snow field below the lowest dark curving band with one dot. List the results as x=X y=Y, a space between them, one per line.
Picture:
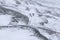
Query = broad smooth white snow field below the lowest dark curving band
x=15 y=34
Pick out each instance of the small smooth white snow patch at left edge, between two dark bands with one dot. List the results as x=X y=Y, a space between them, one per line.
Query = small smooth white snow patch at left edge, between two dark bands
x=5 y=19
